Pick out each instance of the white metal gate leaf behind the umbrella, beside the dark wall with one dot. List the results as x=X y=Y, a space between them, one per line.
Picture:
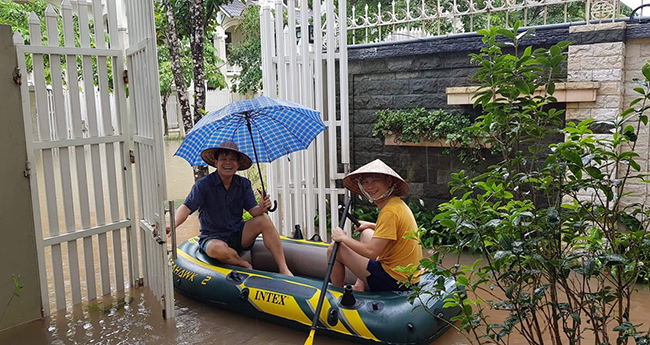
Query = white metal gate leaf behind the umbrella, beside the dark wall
x=306 y=73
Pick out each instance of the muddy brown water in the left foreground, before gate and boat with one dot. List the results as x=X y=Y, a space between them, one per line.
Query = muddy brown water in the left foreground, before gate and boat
x=138 y=321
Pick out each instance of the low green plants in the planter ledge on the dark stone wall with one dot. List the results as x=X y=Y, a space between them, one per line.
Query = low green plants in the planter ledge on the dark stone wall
x=419 y=124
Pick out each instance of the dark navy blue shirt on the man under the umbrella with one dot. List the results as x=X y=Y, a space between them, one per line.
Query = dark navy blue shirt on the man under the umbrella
x=220 y=210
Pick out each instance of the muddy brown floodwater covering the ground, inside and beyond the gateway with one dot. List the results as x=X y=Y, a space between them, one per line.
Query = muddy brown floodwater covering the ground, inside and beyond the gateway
x=136 y=317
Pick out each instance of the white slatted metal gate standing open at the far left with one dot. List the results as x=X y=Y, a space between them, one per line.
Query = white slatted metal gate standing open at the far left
x=79 y=156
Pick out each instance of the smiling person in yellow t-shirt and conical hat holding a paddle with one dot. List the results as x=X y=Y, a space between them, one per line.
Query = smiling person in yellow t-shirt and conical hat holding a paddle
x=383 y=246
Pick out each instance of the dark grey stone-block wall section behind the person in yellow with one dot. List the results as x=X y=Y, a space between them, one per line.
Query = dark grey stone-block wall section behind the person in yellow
x=404 y=83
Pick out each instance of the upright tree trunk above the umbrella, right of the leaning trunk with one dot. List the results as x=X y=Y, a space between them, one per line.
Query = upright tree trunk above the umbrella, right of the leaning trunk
x=197 y=35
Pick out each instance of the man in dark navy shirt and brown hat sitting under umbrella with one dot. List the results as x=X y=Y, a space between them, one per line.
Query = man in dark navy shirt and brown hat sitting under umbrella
x=220 y=199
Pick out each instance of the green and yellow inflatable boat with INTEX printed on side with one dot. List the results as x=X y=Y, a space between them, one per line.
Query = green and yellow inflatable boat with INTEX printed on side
x=362 y=317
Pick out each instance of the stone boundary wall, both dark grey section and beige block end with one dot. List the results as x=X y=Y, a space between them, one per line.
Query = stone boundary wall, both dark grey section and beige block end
x=415 y=73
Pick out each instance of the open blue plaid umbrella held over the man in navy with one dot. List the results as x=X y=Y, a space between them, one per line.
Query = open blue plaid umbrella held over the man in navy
x=263 y=128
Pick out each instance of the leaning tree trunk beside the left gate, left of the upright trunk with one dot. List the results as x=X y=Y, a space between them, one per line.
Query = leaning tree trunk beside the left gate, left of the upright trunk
x=177 y=71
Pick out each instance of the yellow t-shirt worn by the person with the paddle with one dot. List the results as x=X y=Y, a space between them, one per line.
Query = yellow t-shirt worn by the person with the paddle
x=393 y=223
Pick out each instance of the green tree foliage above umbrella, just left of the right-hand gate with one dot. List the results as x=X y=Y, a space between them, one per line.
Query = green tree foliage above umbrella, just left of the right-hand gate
x=248 y=53
